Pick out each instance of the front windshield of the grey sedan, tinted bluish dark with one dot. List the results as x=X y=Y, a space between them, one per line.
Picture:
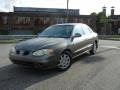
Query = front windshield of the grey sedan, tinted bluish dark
x=62 y=31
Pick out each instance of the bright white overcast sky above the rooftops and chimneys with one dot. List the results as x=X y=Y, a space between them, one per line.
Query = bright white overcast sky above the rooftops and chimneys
x=85 y=6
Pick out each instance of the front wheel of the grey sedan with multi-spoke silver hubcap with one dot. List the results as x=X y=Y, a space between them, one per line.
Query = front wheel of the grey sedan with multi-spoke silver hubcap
x=64 y=62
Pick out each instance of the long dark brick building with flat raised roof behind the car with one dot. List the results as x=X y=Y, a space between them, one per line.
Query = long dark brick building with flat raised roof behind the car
x=25 y=20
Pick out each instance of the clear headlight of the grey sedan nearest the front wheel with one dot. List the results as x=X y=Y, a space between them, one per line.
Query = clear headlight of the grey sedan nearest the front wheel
x=43 y=52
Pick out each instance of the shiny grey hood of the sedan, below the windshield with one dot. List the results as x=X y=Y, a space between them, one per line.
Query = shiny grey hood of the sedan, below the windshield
x=40 y=43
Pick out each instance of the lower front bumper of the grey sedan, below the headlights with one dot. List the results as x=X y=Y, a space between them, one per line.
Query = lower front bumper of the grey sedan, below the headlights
x=35 y=61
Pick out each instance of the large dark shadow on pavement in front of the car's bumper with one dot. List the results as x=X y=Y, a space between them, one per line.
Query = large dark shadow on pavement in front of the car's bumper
x=13 y=77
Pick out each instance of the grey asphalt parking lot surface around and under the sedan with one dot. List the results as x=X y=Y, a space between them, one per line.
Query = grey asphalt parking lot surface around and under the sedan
x=97 y=72
